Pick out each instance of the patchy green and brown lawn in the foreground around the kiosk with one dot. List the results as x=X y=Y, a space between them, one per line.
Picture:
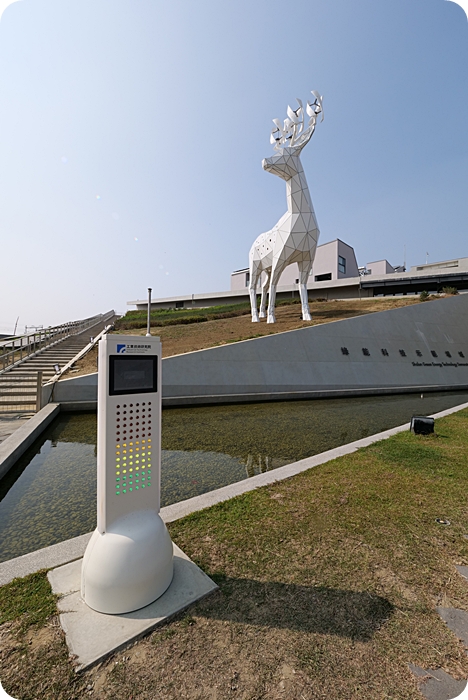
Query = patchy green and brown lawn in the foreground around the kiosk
x=328 y=587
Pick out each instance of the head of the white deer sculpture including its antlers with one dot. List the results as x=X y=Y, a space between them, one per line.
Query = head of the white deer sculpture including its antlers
x=290 y=138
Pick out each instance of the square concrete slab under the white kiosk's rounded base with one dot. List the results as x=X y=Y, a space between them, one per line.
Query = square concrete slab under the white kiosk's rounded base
x=92 y=636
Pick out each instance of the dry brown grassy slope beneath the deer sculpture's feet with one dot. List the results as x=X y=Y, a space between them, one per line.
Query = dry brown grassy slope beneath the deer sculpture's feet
x=180 y=339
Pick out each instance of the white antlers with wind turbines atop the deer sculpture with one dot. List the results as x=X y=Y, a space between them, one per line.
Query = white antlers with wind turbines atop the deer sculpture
x=292 y=133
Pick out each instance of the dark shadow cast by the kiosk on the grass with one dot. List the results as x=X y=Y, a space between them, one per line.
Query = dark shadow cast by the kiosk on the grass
x=320 y=610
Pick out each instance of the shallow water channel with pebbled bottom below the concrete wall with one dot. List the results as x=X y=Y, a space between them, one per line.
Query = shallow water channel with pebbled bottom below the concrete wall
x=50 y=494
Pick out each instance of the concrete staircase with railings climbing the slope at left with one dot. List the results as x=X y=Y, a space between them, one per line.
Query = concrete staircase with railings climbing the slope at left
x=19 y=386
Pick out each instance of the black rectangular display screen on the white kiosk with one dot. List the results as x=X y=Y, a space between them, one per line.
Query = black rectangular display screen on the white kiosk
x=133 y=375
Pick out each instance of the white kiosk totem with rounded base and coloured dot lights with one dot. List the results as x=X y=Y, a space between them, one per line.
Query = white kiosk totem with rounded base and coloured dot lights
x=129 y=560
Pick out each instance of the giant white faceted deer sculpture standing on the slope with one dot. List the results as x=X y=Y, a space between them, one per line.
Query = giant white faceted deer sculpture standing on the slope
x=294 y=238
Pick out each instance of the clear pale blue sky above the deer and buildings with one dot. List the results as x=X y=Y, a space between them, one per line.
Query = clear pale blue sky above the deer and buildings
x=164 y=109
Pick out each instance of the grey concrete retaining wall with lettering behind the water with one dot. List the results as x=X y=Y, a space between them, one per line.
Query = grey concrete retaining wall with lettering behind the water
x=344 y=358
